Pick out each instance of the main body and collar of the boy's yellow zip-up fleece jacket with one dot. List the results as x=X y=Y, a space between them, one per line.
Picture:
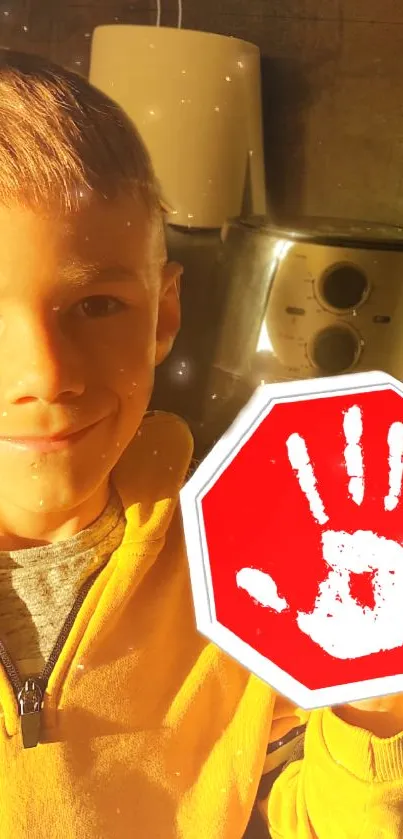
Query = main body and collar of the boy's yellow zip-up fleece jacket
x=148 y=730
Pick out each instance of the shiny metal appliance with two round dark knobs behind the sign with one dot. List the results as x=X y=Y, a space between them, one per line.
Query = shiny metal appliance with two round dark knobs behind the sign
x=321 y=297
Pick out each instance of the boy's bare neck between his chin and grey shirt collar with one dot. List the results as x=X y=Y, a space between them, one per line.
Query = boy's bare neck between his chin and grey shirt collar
x=22 y=529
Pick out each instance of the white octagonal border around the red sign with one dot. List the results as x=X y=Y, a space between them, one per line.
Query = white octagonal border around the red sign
x=191 y=496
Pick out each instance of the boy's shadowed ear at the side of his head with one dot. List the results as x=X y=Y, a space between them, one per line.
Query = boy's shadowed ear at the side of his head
x=168 y=310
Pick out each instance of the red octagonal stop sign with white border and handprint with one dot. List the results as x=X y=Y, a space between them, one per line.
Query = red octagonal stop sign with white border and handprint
x=294 y=533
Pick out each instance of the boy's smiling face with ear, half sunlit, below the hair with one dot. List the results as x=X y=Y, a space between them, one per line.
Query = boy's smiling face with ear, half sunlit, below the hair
x=87 y=308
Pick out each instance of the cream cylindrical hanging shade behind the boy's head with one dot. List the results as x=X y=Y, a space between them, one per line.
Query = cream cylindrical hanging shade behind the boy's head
x=195 y=97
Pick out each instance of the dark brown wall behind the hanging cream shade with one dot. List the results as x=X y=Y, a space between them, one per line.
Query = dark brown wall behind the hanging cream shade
x=332 y=86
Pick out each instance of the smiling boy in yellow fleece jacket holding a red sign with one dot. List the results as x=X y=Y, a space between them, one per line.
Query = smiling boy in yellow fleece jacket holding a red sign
x=117 y=718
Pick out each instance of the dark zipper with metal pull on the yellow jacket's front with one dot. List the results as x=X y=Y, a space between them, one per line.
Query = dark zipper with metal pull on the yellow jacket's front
x=30 y=691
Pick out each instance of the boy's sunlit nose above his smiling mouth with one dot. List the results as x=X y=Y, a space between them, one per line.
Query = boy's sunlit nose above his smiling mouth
x=42 y=364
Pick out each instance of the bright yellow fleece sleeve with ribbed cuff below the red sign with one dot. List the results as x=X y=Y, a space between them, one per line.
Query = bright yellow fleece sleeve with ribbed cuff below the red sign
x=349 y=783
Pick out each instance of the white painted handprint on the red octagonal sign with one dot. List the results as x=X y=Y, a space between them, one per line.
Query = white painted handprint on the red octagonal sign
x=338 y=623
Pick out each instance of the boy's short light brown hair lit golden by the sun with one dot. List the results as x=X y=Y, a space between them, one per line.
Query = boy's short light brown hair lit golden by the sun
x=60 y=137
